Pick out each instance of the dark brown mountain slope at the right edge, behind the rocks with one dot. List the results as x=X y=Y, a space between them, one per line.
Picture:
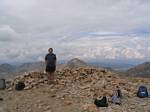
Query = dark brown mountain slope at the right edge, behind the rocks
x=142 y=70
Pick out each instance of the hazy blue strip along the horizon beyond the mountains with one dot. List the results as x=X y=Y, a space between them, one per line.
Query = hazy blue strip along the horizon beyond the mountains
x=113 y=64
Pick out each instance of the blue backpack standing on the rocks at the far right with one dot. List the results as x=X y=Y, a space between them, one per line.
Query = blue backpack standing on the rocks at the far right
x=142 y=92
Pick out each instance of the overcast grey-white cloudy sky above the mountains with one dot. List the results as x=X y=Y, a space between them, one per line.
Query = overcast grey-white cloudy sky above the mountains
x=85 y=29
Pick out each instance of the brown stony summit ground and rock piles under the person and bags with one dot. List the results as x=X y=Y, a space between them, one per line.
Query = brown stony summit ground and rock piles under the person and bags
x=73 y=91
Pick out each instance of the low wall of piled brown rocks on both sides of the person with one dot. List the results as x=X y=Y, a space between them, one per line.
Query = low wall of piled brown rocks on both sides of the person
x=81 y=82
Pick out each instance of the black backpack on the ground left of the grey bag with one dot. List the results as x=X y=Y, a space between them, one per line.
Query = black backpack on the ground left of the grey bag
x=101 y=102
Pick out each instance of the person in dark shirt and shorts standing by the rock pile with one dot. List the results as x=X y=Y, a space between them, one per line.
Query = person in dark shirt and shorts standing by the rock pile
x=50 y=60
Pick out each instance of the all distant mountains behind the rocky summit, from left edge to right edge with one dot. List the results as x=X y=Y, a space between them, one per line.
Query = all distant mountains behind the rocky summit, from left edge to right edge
x=7 y=70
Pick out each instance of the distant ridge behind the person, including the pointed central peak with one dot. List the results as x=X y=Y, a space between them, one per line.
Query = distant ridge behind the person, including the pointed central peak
x=7 y=70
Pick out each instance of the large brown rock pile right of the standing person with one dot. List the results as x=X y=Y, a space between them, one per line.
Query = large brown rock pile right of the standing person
x=91 y=83
